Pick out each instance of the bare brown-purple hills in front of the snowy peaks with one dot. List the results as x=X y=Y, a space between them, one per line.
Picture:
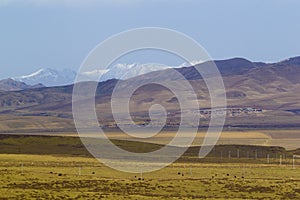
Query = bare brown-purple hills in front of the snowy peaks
x=258 y=95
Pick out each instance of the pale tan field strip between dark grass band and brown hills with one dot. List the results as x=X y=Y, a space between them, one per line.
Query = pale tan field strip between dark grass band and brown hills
x=289 y=139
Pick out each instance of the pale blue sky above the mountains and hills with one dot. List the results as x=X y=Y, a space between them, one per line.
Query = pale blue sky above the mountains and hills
x=59 y=34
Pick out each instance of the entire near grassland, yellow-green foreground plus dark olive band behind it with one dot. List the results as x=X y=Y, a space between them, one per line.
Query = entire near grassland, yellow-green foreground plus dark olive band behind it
x=41 y=167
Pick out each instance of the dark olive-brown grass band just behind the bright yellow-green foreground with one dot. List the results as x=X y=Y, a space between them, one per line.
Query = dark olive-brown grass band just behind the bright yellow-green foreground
x=55 y=145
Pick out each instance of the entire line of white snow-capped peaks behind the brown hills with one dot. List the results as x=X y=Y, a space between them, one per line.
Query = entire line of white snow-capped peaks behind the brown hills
x=51 y=77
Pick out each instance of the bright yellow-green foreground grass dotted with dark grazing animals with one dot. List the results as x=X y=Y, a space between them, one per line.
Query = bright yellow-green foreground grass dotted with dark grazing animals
x=56 y=177
